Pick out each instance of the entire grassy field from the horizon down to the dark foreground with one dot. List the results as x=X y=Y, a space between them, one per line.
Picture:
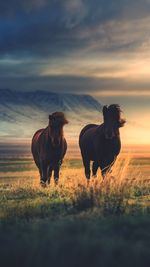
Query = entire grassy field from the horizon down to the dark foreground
x=104 y=224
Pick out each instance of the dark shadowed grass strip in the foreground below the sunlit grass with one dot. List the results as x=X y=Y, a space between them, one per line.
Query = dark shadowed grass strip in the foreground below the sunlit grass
x=85 y=240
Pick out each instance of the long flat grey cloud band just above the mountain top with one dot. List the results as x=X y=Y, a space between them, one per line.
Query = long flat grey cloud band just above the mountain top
x=73 y=84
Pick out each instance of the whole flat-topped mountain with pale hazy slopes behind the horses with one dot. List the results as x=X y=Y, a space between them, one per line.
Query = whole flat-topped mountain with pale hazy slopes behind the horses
x=22 y=113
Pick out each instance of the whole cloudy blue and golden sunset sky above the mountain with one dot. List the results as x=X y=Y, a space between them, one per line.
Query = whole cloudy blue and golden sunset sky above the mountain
x=97 y=47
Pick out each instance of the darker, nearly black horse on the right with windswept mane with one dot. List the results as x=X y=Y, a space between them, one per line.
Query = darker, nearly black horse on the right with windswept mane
x=101 y=143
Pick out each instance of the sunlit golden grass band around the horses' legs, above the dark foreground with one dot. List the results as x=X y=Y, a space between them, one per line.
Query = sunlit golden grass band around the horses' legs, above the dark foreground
x=124 y=188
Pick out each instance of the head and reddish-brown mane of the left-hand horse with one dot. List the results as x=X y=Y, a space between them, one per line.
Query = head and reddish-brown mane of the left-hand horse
x=56 y=122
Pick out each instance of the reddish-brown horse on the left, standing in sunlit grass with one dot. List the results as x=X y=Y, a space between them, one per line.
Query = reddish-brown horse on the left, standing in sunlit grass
x=49 y=147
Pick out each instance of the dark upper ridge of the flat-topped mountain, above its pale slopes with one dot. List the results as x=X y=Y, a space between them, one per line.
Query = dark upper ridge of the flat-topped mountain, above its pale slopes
x=38 y=96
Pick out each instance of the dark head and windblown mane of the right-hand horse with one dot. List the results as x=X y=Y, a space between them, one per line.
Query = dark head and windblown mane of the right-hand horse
x=112 y=120
